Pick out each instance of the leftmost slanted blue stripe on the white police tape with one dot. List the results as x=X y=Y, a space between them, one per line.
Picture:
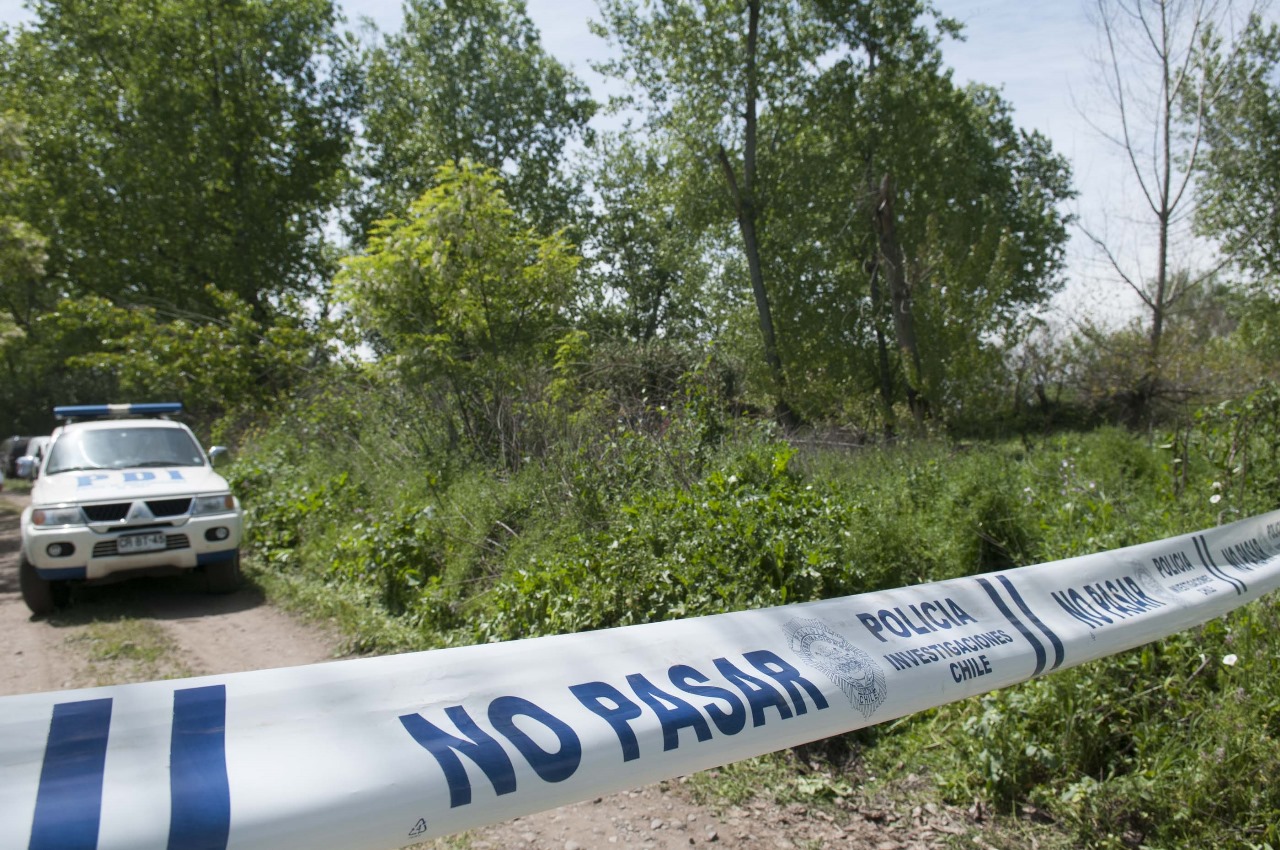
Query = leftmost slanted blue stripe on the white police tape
x=70 y=799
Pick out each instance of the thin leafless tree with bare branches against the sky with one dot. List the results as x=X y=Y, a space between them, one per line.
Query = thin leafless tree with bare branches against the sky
x=1163 y=83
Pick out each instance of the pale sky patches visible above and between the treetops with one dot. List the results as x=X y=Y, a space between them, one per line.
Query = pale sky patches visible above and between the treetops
x=1040 y=54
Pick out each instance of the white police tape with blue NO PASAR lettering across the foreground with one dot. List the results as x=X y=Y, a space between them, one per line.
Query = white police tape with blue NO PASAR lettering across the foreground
x=378 y=753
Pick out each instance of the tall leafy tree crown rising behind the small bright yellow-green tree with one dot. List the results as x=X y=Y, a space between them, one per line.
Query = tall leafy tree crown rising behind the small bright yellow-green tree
x=469 y=80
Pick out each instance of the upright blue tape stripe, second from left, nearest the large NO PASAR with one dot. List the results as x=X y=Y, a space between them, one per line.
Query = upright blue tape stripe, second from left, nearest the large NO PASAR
x=200 y=794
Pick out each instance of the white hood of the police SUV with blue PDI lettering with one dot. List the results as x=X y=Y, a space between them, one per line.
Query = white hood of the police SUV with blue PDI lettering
x=120 y=486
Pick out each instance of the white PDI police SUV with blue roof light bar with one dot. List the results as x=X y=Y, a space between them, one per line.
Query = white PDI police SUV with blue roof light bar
x=122 y=492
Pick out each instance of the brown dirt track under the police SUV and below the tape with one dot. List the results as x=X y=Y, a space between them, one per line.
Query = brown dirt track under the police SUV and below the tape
x=172 y=629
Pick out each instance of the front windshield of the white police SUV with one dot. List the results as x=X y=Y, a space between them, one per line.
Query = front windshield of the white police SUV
x=120 y=449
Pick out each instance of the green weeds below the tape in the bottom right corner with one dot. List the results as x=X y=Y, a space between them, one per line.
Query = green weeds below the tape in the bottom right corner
x=1141 y=750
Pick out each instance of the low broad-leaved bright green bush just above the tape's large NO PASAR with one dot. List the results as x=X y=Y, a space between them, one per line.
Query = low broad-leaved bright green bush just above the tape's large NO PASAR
x=747 y=536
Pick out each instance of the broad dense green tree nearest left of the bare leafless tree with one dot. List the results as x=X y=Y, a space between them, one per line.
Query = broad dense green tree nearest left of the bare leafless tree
x=911 y=286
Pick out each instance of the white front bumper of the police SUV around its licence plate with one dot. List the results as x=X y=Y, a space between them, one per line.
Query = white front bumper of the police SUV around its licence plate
x=95 y=552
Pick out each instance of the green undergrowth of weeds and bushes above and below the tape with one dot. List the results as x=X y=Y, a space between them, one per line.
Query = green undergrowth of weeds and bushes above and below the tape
x=683 y=510
